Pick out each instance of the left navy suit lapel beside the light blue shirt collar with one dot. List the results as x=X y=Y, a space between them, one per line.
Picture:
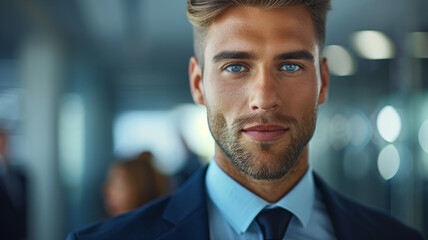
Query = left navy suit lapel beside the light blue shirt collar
x=187 y=210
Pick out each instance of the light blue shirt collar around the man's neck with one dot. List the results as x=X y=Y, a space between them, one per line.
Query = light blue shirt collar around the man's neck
x=239 y=206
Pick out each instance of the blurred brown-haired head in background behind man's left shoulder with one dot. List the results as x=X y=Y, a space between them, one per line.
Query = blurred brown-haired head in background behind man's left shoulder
x=133 y=183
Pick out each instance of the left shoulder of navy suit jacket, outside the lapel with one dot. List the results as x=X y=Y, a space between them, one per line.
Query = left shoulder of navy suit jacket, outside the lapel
x=145 y=222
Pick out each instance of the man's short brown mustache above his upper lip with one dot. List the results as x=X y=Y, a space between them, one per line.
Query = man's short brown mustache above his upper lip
x=267 y=117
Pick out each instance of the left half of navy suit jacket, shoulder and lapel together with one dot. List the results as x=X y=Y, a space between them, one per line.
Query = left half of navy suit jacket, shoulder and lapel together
x=166 y=218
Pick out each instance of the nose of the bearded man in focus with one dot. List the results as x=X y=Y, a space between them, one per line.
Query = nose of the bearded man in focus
x=265 y=93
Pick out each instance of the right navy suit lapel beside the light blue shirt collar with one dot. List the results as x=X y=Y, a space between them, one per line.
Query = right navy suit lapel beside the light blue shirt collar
x=341 y=213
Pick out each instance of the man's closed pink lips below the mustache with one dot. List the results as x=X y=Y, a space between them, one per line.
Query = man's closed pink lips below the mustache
x=266 y=132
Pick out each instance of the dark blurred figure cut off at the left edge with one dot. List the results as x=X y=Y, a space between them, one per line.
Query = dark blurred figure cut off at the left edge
x=13 y=196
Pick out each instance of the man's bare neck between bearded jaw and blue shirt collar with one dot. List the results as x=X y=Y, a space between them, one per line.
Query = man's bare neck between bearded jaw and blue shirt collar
x=270 y=190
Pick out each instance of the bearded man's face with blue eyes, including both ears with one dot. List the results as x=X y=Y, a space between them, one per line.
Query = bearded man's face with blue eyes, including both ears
x=261 y=85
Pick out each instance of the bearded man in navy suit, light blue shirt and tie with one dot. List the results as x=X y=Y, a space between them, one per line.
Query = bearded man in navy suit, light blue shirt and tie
x=260 y=73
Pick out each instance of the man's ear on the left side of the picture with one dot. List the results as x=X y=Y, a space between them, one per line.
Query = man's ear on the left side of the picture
x=196 y=84
